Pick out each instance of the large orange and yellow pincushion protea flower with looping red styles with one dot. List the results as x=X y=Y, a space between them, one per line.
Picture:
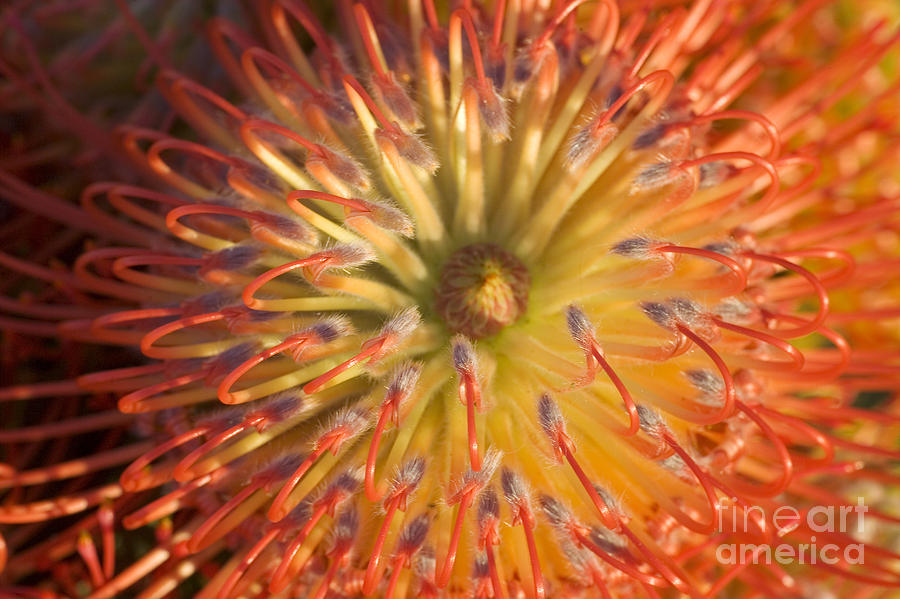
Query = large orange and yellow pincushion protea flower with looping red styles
x=506 y=300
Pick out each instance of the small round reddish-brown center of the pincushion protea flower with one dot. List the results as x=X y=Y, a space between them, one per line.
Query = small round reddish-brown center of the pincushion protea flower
x=482 y=289
